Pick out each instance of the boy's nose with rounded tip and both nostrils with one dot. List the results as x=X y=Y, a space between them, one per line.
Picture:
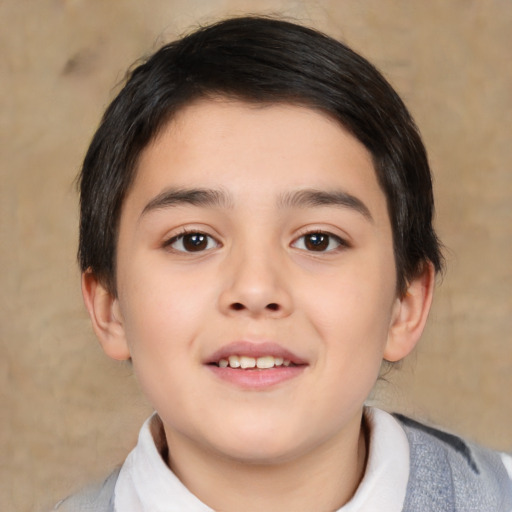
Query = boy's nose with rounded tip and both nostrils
x=256 y=285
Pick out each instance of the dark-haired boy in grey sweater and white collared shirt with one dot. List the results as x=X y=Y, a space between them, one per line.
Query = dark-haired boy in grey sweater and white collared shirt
x=256 y=237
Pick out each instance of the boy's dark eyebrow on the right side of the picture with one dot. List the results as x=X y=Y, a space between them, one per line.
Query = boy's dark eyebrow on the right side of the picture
x=312 y=197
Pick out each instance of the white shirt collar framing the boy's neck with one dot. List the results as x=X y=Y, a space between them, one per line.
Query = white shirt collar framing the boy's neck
x=146 y=484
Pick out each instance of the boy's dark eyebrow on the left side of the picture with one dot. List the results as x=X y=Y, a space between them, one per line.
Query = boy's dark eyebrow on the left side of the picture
x=208 y=198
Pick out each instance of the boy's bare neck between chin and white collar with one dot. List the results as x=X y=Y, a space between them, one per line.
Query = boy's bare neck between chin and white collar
x=335 y=466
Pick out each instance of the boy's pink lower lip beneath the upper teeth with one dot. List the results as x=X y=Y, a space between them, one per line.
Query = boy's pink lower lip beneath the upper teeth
x=257 y=379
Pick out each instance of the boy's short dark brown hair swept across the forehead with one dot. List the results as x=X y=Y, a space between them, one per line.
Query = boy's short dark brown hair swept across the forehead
x=264 y=60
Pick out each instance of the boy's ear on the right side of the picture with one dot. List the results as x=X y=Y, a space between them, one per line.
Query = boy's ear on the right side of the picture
x=410 y=314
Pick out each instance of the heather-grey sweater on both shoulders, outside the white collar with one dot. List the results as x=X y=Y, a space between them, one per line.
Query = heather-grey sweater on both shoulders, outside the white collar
x=447 y=474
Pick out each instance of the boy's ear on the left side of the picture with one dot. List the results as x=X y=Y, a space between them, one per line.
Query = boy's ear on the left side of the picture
x=106 y=318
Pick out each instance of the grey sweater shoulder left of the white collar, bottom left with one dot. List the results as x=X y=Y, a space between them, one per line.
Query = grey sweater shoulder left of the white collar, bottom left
x=98 y=497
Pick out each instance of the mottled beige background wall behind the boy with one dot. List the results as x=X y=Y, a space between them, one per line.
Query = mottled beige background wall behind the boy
x=67 y=413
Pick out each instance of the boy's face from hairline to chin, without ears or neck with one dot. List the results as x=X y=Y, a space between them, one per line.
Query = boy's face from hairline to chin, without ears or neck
x=256 y=279
